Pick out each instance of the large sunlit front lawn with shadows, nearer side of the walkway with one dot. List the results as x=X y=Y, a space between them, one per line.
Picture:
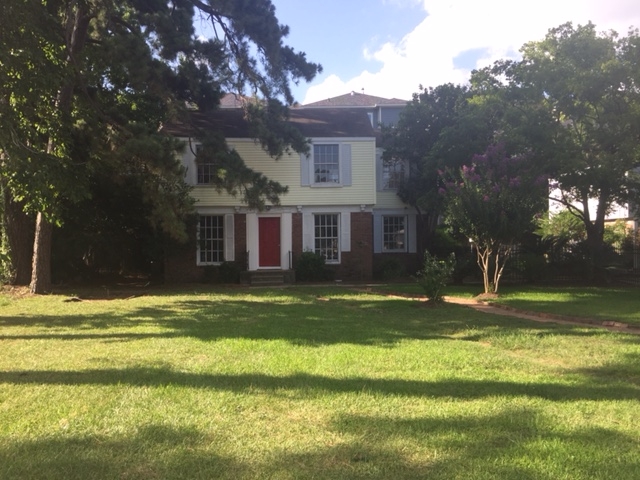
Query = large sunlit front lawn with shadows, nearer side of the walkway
x=308 y=383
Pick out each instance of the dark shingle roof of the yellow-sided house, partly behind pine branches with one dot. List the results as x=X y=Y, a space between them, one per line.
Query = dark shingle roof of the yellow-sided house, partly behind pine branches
x=325 y=122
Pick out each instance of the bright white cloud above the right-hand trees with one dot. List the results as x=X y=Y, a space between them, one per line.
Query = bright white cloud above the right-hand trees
x=425 y=56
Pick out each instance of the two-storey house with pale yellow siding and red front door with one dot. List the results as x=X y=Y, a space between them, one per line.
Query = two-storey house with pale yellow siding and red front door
x=341 y=203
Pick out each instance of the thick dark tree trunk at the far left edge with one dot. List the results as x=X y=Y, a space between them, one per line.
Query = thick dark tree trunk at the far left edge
x=19 y=229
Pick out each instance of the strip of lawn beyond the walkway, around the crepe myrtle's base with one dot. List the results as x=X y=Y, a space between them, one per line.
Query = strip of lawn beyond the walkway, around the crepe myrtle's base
x=598 y=303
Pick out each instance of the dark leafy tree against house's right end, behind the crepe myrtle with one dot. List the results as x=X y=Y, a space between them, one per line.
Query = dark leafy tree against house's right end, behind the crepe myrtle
x=445 y=126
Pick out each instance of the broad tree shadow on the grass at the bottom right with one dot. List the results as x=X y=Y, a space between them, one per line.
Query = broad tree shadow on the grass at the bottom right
x=513 y=444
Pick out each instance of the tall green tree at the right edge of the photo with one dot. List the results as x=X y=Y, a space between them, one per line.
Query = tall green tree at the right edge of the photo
x=588 y=83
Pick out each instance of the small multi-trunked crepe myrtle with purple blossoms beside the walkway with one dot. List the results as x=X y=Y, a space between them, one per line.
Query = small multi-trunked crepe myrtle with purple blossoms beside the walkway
x=494 y=200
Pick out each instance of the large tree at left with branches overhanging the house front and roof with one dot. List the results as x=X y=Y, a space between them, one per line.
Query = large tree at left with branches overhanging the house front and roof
x=85 y=86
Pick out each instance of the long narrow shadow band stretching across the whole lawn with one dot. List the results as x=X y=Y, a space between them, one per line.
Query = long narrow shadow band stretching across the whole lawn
x=310 y=386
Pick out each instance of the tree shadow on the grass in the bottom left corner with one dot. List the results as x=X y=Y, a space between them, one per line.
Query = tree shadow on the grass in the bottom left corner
x=153 y=452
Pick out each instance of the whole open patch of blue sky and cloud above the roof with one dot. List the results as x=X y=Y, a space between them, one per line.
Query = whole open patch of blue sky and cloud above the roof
x=390 y=47
